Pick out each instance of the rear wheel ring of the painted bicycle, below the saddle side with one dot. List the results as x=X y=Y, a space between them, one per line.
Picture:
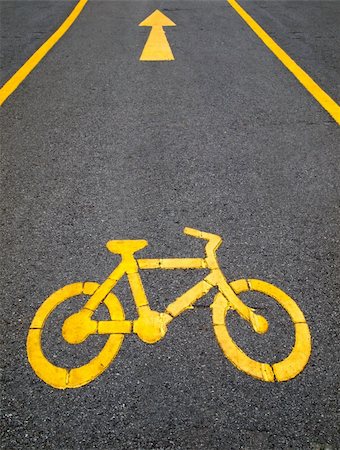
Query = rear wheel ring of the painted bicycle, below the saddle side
x=62 y=377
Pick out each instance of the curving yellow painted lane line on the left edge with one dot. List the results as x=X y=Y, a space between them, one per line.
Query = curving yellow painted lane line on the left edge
x=11 y=85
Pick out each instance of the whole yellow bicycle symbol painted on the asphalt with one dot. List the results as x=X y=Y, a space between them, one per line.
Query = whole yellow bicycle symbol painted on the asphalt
x=151 y=326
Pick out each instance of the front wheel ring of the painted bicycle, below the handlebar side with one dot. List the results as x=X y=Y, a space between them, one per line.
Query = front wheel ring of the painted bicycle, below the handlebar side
x=283 y=370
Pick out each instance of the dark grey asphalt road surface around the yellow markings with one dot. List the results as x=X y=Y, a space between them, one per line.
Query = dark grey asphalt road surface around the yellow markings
x=97 y=145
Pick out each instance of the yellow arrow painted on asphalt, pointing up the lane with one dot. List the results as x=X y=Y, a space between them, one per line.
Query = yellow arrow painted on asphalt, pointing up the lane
x=157 y=47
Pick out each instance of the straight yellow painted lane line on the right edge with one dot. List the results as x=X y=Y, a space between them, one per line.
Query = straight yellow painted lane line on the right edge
x=319 y=94
